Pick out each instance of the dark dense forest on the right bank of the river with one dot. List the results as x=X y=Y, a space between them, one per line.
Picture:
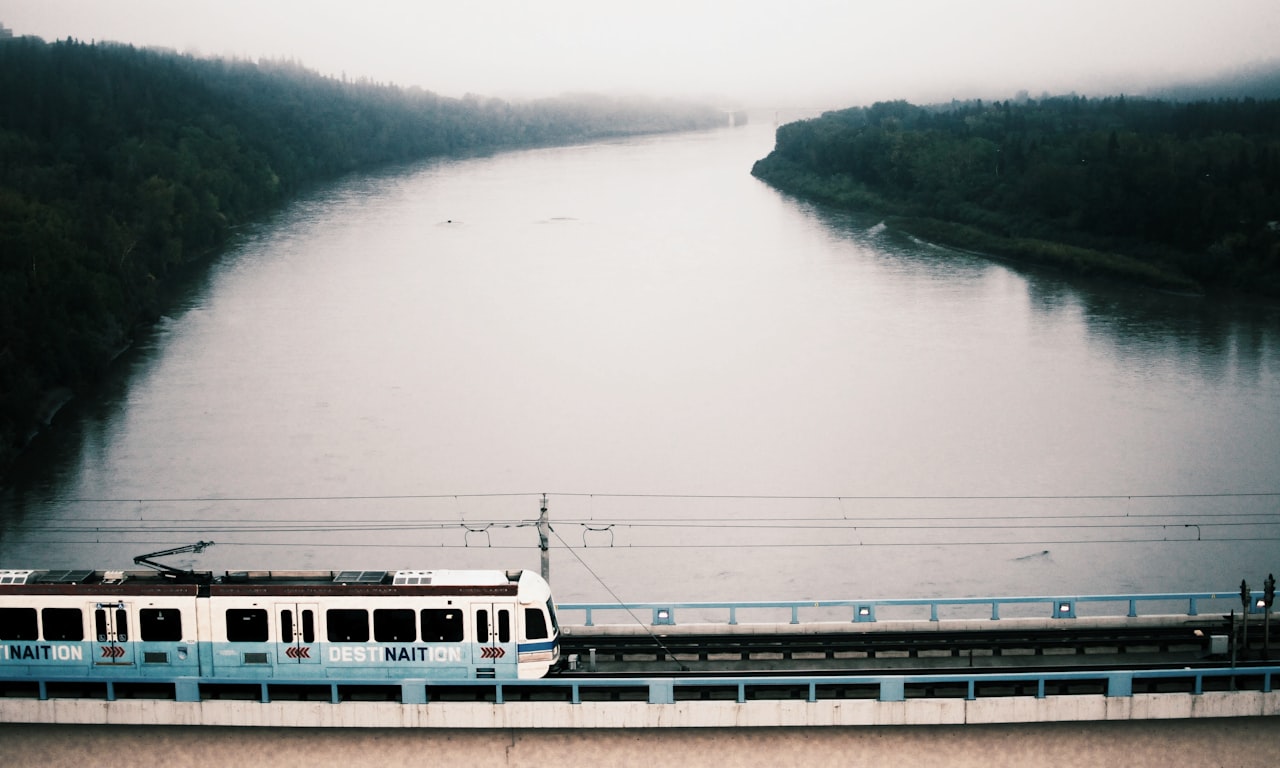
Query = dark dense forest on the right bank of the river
x=1180 y=195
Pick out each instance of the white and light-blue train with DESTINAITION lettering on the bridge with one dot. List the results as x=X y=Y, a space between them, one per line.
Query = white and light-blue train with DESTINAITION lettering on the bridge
x=277 y=625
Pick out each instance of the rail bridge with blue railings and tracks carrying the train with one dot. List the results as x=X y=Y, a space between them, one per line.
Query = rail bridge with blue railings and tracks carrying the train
x=1132 y=660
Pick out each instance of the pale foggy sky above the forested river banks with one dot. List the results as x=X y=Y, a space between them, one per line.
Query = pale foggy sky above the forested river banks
x=748 y=53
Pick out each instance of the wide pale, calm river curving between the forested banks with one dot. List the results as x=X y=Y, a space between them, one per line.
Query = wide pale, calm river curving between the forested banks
x=726 y=394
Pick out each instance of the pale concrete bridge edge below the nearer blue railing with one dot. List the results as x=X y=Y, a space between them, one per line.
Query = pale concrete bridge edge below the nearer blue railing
x=641 y=715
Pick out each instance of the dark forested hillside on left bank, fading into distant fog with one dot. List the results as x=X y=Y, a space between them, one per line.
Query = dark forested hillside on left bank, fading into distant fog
x=118 y=167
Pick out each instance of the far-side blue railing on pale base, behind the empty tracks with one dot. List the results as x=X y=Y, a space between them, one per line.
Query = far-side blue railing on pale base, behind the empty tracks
x=908 y=609
